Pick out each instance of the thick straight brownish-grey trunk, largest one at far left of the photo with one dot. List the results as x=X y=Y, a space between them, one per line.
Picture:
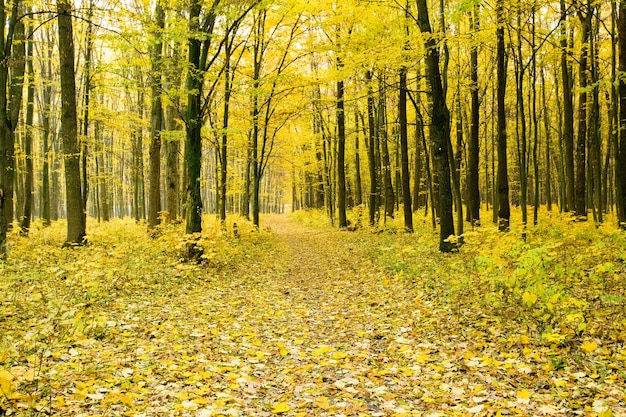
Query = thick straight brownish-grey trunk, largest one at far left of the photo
x=69 y=127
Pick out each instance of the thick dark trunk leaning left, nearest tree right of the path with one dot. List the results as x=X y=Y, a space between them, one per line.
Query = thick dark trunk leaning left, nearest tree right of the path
x=440 y=130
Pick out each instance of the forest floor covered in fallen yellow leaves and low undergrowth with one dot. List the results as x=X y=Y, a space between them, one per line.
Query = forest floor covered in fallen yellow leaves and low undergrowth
x=301 y=319
